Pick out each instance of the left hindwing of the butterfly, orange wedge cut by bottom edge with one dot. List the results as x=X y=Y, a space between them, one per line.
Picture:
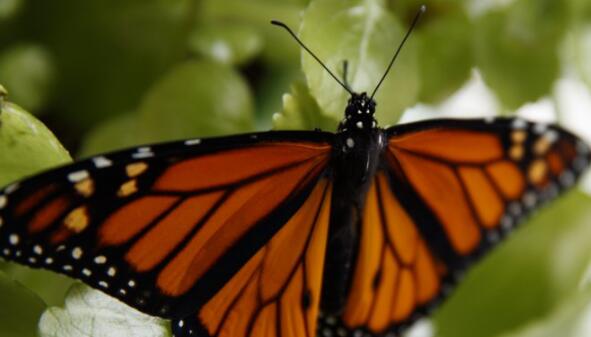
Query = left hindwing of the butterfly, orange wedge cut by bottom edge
x=277 y=292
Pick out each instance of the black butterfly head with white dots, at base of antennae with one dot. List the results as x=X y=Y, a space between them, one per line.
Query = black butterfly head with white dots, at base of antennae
x=359 y=113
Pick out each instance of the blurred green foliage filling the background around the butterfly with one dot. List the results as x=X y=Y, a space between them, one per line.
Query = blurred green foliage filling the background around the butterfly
x=106 y=74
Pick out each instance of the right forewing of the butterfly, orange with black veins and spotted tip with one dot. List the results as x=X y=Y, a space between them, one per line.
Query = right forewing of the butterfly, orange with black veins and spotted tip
x=479 y=179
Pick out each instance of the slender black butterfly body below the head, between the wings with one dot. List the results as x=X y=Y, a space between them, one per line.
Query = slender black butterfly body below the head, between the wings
x=355 y=161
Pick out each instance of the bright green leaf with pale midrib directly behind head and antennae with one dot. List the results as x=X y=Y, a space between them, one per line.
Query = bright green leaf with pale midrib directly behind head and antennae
x=366 y=34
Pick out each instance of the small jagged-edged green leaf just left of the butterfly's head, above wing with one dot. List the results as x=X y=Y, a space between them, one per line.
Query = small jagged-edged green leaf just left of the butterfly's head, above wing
x=301 y=112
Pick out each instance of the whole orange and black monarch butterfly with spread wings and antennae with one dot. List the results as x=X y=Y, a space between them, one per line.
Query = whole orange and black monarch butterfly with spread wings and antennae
x=286 y=233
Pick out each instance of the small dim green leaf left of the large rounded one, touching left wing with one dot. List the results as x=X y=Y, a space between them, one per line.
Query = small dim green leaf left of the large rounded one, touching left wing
x=116 y=133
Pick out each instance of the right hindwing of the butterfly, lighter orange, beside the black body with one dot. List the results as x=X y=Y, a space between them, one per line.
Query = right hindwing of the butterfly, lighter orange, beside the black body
x=395 y=273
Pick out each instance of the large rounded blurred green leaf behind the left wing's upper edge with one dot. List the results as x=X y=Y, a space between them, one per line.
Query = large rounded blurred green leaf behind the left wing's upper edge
x=196 y=99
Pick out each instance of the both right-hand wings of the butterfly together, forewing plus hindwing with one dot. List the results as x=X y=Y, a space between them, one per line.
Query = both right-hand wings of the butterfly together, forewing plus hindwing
x=446 y=192
